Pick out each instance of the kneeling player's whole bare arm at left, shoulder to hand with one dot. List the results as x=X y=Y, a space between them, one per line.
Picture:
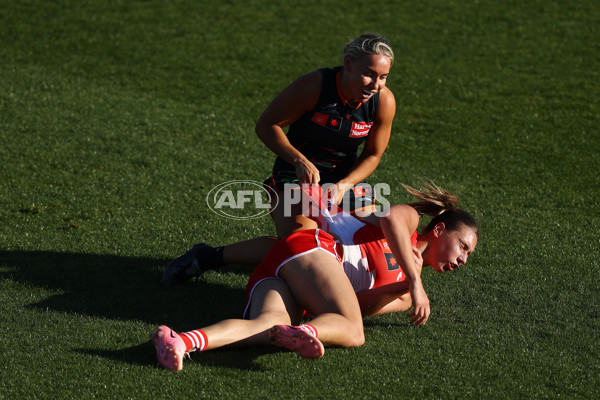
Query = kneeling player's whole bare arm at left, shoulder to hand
x=298 y=98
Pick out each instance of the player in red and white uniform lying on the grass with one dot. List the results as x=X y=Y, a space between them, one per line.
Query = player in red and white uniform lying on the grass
x=303 y=272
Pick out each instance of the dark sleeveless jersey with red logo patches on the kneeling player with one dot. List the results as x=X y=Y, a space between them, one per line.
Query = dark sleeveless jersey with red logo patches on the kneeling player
x=330 y=134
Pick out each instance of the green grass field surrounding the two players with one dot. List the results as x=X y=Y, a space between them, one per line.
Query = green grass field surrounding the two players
x=118 y=117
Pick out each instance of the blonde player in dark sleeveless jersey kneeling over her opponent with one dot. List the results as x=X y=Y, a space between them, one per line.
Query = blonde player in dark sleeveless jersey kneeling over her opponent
x=329 y=114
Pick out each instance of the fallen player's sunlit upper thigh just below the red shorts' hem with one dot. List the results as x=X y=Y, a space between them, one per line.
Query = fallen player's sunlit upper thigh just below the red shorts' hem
x=319 y=284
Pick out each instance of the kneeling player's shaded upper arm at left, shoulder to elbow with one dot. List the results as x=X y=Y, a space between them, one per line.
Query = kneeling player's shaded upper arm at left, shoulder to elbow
x=295 y=100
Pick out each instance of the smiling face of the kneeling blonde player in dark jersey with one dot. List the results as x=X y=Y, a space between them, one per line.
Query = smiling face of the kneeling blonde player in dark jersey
x=366 y=76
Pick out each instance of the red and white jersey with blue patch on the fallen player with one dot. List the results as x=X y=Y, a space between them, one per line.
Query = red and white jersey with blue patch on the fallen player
x=367 y=259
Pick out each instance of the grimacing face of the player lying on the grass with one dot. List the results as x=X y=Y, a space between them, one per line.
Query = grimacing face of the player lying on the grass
x=453 y=248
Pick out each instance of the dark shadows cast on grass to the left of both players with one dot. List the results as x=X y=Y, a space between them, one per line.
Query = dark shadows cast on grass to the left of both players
x=129 y=289
